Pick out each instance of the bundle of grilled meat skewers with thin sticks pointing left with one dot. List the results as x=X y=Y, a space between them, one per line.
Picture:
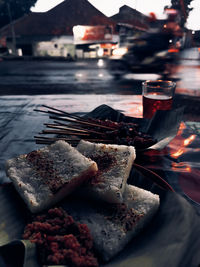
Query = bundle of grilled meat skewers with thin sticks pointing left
x=72 y=128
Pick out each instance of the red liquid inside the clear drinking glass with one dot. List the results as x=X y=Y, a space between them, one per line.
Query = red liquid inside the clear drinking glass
x=153 y=102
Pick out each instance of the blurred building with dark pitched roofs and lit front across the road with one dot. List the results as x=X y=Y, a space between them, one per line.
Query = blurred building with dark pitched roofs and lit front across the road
x=72 y=29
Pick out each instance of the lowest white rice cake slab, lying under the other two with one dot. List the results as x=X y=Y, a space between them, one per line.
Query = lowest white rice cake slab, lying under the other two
x=112 y=226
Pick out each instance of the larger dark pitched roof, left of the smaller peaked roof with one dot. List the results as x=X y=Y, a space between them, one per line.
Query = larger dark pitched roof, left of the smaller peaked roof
x=58 y=21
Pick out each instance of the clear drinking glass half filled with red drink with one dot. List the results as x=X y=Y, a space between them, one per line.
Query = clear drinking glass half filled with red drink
x=157 y=95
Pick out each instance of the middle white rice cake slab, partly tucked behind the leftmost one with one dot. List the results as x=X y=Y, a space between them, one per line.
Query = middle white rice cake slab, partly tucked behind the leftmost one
x=114 y=165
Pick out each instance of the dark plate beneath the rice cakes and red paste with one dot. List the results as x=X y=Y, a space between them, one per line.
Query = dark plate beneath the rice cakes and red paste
x=154 y=246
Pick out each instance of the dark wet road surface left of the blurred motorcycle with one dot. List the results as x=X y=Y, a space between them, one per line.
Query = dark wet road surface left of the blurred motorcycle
x=42 y=77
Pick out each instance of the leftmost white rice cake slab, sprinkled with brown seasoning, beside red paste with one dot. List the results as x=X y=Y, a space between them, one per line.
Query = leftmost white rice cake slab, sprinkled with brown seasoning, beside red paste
x=45 y=176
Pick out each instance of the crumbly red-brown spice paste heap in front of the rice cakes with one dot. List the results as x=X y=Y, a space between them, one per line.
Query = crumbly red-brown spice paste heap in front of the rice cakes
x=60 y=240
